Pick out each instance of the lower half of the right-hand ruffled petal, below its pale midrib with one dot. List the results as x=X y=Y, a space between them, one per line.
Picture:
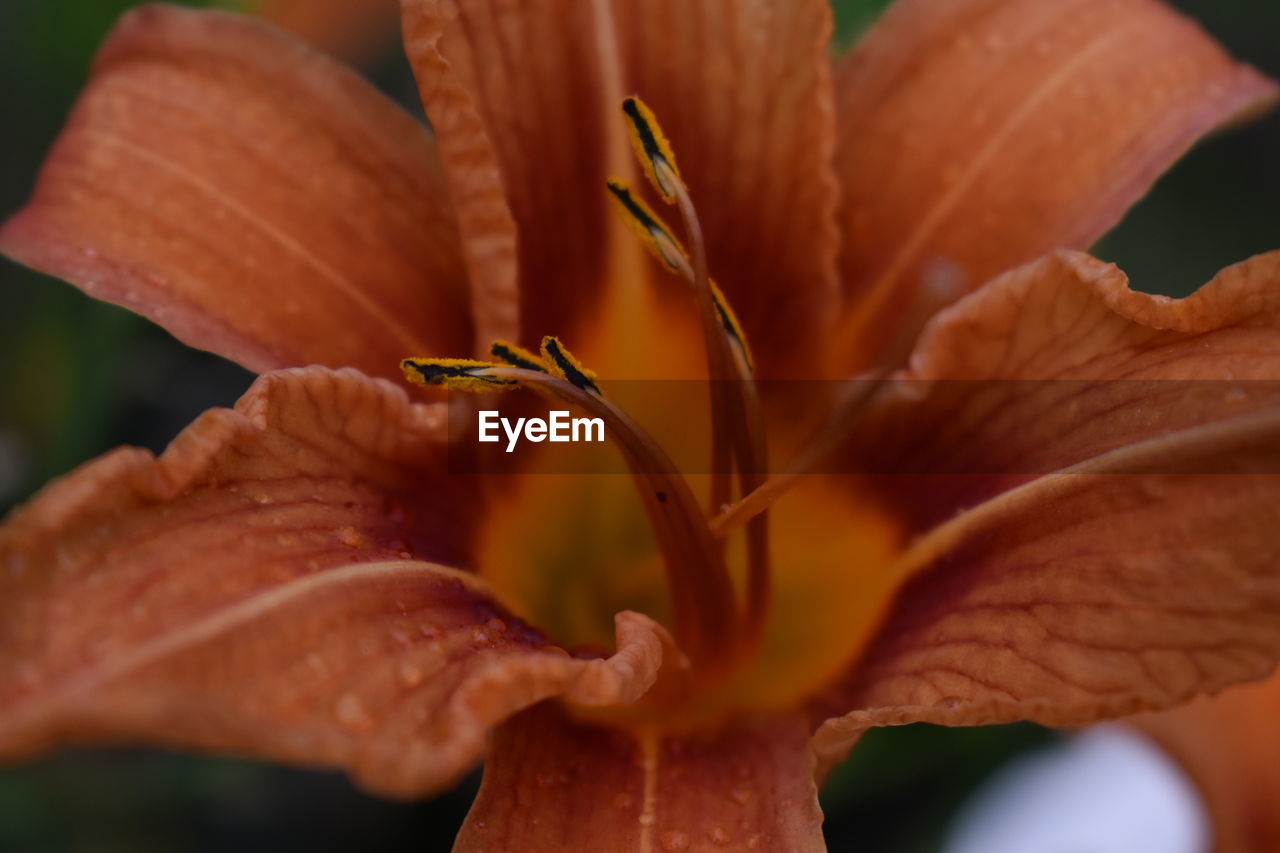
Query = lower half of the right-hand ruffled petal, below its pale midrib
x=1133 y=582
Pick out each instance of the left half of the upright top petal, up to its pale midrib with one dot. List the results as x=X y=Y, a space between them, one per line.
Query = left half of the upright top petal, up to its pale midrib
x=514 y=98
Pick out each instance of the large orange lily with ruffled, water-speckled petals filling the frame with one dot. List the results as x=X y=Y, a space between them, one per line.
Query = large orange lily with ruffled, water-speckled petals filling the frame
x=303 y=580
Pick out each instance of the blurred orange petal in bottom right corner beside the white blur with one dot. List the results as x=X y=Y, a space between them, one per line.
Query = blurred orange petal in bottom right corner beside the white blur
x=1231 y=746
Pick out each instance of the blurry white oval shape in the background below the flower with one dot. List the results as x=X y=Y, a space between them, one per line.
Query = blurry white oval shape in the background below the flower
x=1105 y=791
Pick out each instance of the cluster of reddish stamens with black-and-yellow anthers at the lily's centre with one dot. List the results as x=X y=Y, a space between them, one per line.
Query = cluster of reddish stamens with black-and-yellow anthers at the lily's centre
x=715 y=624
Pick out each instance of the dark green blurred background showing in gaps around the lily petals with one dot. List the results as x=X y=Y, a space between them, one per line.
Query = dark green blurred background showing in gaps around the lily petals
x=79 y=377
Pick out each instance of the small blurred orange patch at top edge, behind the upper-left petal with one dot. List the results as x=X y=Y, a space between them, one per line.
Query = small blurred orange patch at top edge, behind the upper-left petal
x=355 y=30
